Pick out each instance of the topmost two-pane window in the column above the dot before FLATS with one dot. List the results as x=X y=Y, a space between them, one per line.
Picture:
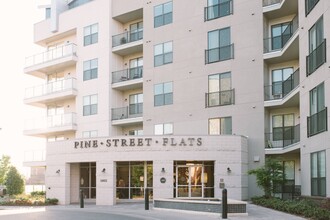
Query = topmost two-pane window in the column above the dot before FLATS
x=163 y=14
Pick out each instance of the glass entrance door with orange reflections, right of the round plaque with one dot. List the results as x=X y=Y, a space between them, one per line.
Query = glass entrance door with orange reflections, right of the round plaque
x=189 y=181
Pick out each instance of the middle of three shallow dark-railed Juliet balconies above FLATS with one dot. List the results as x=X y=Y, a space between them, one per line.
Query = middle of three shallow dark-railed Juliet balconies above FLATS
x=219 y=54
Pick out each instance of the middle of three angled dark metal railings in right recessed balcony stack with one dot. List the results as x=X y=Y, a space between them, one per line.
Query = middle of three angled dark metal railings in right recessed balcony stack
x=280 y=89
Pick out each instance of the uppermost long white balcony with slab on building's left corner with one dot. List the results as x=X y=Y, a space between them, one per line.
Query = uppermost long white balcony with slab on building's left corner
x=51 y=60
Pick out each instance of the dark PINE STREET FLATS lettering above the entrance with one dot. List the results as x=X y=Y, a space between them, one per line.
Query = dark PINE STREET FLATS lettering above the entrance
x=138 y=142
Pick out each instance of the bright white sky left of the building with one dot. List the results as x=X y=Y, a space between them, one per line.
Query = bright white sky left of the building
x=16 y=43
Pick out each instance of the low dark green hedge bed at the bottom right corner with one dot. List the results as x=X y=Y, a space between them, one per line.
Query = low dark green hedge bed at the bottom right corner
x=305 y=208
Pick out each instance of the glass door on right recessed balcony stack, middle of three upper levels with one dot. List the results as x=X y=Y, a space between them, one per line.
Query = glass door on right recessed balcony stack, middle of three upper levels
x=278 y=77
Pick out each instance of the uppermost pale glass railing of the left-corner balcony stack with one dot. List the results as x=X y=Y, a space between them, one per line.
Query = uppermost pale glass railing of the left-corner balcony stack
x=53 y=54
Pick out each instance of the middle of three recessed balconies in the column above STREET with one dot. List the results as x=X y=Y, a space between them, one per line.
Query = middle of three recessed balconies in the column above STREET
x=128 y=79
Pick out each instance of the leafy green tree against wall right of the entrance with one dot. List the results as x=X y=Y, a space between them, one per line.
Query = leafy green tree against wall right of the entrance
x=269 y=176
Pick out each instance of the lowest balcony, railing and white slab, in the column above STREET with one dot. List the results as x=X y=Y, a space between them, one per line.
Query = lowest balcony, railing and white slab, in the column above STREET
x=127 y=115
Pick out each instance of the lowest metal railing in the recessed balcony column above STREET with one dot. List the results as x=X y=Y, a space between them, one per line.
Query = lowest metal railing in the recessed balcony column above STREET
x=132 y=111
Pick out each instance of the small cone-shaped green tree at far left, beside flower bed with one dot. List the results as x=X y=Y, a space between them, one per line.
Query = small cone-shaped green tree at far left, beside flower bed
x=14 y=182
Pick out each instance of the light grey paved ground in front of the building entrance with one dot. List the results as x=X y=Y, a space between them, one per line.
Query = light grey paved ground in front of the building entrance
x=130 y=211
